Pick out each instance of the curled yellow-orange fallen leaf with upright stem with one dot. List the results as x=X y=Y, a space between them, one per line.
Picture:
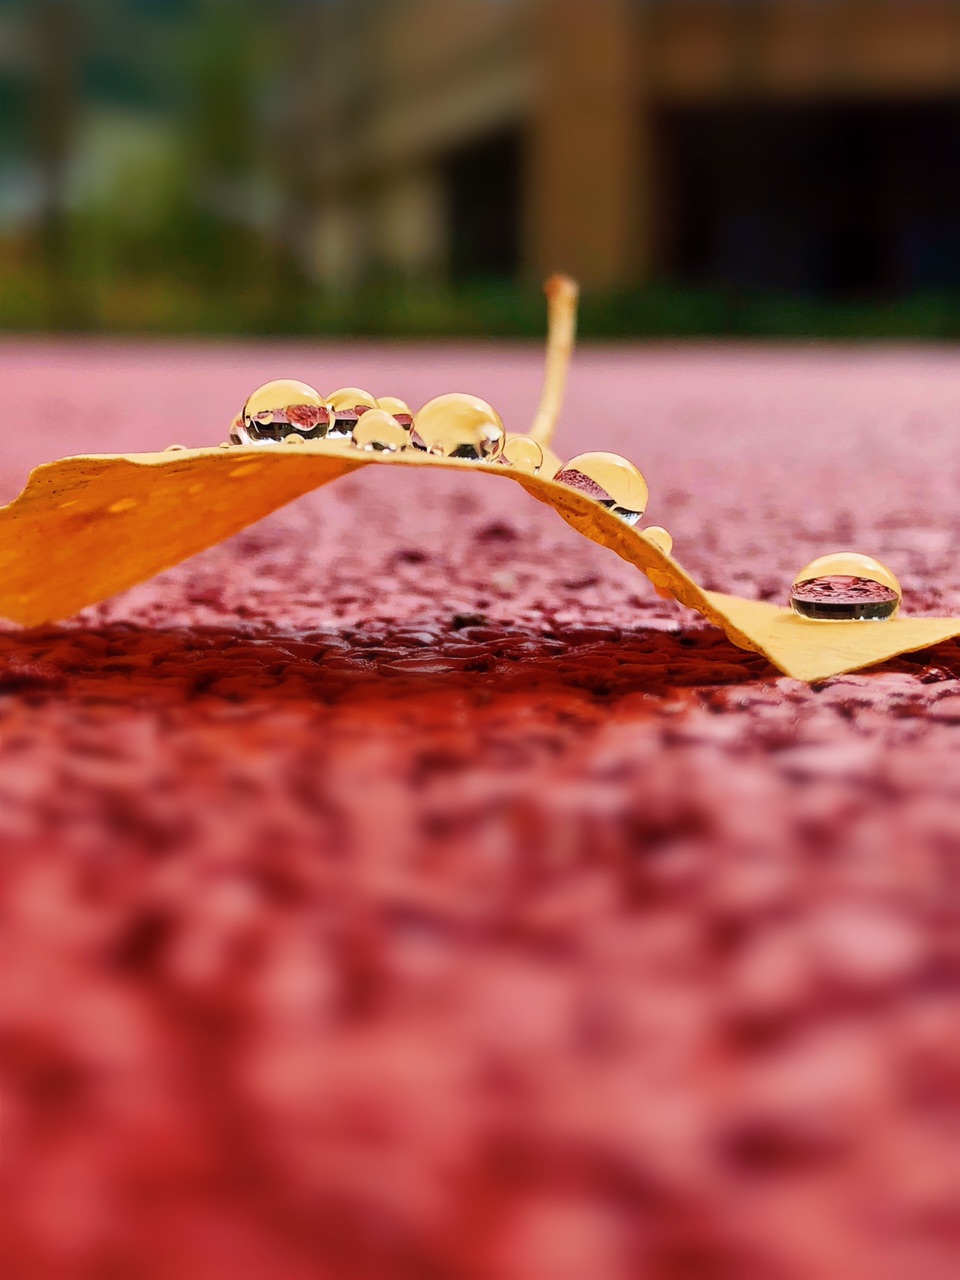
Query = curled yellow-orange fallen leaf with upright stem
x=90 y=527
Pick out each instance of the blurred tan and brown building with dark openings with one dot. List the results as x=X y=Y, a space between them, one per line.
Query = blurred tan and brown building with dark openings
x=798 y=145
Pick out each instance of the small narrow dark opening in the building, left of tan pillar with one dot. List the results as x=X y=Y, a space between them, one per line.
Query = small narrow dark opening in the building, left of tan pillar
x=483 y=193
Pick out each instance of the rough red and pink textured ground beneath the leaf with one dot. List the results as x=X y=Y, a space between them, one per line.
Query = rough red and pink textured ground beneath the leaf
x=403 y=890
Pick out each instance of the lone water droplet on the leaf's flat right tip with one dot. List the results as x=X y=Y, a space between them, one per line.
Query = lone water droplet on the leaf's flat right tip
x=845 y=587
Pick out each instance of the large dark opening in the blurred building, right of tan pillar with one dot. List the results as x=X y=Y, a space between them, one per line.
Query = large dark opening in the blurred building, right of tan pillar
x=833 y=199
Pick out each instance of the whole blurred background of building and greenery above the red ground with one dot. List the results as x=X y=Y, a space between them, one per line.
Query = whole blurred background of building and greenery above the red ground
x=417 y=167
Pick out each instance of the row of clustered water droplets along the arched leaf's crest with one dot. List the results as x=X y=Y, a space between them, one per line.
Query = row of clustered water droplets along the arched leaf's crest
x=455 y=426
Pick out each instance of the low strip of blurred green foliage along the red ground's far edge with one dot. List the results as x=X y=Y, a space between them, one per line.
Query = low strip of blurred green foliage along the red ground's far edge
x=179 y=298
